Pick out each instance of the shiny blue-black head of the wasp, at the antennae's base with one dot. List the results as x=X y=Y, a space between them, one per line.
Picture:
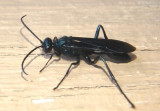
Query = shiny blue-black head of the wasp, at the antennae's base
x=47 y=45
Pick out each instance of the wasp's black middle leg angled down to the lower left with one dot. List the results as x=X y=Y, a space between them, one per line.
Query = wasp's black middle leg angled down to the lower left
x=75 y=63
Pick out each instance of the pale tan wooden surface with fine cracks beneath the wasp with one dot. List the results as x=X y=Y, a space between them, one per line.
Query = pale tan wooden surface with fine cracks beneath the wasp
x=86 y=88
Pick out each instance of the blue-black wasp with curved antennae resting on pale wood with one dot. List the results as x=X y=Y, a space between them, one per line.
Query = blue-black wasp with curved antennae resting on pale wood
x=80 y=47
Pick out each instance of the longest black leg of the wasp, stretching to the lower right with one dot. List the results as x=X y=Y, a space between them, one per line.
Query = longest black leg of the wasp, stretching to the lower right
x=113 y=80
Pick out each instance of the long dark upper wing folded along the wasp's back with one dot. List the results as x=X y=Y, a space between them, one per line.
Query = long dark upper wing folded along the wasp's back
x=101 y=45
